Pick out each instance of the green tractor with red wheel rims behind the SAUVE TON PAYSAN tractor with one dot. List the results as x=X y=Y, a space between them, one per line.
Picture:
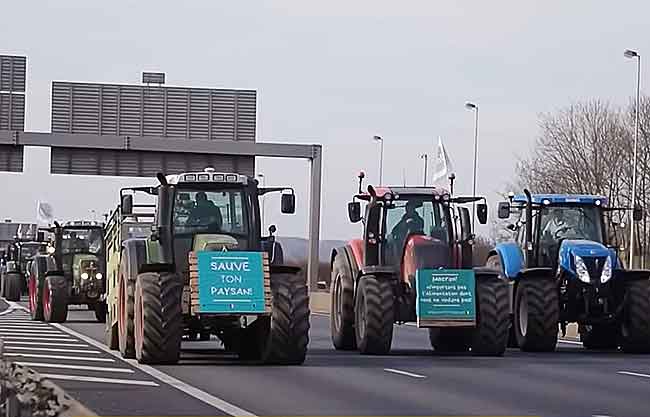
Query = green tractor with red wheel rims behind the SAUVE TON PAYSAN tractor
x=70 y=272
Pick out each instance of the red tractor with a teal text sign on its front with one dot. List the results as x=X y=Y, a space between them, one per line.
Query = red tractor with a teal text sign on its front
x=414 y=264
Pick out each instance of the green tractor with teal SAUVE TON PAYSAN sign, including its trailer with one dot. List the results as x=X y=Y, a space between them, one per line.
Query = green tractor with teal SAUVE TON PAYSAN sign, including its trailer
x=204 y=267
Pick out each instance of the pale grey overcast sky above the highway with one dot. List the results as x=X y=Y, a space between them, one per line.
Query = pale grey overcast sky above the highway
x=334 y=73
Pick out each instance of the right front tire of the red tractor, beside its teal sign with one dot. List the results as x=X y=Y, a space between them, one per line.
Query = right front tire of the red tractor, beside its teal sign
x=490 y=336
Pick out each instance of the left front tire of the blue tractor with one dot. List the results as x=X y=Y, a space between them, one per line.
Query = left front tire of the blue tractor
x=537 y=313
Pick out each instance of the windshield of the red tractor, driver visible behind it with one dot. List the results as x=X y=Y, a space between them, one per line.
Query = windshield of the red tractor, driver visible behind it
x=419 y=216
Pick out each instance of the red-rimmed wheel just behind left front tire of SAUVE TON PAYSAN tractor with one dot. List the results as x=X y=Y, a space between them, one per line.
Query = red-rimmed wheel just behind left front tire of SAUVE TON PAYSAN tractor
x=125 y=301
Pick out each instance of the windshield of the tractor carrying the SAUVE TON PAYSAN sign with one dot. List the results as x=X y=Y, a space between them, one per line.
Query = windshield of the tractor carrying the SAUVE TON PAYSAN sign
x=210 y=212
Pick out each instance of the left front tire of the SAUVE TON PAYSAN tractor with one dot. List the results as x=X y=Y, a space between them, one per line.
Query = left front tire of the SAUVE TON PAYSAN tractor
x=158 y=318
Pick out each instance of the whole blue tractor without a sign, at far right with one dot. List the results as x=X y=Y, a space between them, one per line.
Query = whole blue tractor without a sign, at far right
x=563 y=269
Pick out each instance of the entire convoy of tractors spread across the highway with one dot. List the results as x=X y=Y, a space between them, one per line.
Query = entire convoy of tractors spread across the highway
x=196 y=264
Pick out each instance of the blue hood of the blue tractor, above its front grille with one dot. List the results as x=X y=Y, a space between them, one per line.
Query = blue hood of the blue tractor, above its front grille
x=593 y=254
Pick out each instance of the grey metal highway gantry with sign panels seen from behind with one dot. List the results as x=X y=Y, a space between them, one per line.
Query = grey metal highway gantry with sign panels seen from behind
x=139 y=130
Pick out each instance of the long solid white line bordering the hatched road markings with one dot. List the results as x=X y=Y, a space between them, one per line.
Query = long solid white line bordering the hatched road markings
x=200 y=395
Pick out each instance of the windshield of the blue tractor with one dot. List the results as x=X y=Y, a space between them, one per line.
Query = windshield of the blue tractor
x=571 y=222
